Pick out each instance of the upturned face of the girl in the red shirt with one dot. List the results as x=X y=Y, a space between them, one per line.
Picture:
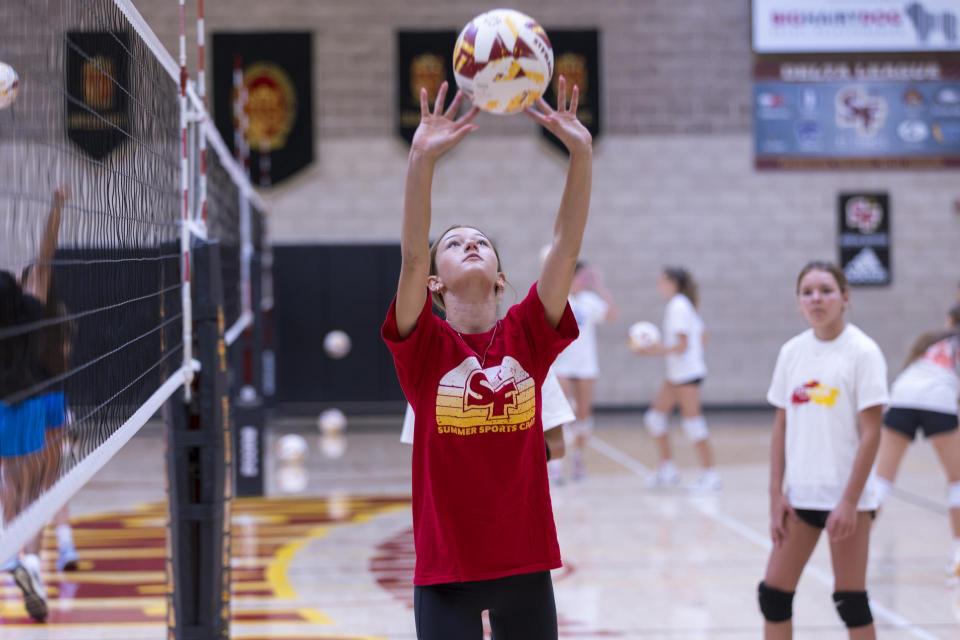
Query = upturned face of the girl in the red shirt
x=466 y=255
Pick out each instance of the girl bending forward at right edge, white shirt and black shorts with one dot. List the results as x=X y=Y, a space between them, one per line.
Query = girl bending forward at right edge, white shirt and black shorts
x=924 y=398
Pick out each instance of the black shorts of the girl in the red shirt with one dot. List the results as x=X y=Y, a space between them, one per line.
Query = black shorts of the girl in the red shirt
x=521 y=608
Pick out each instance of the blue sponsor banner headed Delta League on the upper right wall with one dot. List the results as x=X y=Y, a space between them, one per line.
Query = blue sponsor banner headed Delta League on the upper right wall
x=865 y=114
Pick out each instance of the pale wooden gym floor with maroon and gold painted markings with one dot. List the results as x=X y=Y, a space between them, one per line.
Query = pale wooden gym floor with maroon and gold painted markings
x=329 y=554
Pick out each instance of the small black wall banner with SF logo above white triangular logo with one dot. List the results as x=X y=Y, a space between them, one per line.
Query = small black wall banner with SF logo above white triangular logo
x=864 y=238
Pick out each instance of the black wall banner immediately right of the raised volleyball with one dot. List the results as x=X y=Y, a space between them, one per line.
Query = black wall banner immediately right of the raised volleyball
x=576 y=56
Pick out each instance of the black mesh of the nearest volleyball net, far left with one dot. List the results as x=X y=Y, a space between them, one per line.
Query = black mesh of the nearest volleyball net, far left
x=89 y=236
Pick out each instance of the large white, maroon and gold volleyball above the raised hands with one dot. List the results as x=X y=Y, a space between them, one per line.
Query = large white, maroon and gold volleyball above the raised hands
x=503 y=61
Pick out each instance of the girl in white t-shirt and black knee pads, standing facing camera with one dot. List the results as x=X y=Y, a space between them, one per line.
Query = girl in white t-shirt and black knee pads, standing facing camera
x=829 y=387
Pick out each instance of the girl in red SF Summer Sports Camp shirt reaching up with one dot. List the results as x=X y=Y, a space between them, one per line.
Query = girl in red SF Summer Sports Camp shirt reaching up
x=482 y=517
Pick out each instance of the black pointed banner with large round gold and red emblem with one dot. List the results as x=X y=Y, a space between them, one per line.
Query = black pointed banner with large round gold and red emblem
x=278 y=76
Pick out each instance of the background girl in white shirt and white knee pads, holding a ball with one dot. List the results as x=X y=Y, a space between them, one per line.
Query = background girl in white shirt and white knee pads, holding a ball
x=682 y=349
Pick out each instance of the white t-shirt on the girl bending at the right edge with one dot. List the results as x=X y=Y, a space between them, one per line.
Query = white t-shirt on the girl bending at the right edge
x=932 y=381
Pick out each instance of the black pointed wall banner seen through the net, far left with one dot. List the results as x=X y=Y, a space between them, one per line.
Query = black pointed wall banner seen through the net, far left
x=97 y=117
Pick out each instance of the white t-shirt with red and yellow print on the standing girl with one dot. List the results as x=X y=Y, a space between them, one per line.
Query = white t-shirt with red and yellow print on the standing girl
x=823 y=385
